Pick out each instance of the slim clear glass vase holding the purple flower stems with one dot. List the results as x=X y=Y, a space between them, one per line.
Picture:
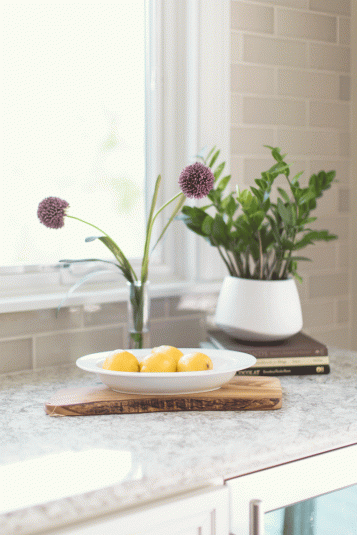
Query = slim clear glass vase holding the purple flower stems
x=138 y=315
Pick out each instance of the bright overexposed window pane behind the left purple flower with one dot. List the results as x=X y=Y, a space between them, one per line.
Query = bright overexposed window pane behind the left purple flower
x=74 y=116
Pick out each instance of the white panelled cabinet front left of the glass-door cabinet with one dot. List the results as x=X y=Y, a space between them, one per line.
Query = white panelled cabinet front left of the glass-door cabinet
x=200 y=512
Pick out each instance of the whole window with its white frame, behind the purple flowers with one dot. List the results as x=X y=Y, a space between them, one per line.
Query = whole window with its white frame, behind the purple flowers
x=80 y=155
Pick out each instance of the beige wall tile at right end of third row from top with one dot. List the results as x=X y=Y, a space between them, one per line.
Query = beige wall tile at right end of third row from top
x=329 y=57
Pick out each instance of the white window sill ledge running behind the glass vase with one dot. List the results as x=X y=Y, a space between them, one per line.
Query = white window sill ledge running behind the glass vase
x=37 y=299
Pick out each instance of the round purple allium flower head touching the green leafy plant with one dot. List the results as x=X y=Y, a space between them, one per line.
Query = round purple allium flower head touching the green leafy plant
x=196 y=180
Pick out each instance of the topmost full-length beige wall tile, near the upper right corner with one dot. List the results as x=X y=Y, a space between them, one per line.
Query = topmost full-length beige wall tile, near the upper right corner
x=293 y=23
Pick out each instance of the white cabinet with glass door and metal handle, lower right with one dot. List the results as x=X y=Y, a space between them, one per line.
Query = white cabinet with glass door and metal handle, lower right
x=257 y=499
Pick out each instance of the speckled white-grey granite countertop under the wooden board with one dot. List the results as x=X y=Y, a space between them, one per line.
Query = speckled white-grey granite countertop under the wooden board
x=58 y=470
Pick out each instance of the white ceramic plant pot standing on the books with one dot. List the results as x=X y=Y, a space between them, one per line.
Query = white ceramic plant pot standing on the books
x=259 y=311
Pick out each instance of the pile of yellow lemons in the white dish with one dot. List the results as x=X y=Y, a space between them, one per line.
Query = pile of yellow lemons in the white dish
x=161 y=359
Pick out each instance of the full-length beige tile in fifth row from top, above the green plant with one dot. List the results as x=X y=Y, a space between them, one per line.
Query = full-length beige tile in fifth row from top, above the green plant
x=274 y=111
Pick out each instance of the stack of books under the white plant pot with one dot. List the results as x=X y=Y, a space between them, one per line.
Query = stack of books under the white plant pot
x=298 y=355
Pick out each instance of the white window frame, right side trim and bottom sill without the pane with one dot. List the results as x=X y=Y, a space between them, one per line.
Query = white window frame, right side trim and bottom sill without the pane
x=189 y=108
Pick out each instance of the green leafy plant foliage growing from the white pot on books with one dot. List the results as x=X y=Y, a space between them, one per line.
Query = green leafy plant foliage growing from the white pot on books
x=256 y=237
